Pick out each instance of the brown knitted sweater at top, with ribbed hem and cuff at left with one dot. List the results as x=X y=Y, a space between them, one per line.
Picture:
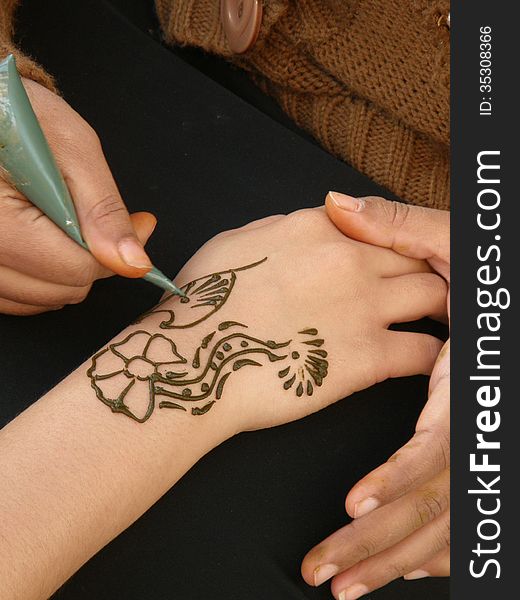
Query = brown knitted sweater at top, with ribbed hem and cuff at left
x=368 y=78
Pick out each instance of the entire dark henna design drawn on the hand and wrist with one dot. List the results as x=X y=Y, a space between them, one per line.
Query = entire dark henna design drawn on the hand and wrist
x=149 y=367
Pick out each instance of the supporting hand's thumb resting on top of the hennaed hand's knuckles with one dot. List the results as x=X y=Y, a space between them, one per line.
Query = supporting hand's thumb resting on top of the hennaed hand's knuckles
x=412 y=231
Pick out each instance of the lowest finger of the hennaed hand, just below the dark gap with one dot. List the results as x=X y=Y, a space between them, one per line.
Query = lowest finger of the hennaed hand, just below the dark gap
x=409 y=353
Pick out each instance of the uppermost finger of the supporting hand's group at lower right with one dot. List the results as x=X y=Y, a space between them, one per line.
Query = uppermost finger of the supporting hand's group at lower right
x=427 y=453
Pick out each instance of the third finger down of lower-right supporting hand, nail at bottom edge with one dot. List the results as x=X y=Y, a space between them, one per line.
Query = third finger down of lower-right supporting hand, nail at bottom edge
x=397 y=561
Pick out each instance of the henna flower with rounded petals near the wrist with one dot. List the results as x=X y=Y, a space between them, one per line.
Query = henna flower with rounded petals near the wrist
x=124 y=373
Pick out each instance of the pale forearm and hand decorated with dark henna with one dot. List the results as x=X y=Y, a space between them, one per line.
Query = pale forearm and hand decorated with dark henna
x=281 y=318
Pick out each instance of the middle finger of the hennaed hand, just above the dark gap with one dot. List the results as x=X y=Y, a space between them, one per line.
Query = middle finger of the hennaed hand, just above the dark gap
x=412 y=297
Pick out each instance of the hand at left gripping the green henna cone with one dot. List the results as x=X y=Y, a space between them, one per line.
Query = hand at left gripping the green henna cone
x=41 y=268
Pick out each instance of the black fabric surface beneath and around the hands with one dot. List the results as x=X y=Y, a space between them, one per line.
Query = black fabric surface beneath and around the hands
x=182 y=146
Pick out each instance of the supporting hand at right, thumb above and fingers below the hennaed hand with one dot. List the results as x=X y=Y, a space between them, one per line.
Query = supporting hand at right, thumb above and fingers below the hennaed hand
x=401 y=510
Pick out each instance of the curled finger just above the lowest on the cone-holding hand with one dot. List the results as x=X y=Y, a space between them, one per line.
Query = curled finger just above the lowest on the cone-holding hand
x=24 y=289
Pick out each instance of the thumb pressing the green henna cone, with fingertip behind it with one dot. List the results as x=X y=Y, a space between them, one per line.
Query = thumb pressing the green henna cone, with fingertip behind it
x=115 y=240
